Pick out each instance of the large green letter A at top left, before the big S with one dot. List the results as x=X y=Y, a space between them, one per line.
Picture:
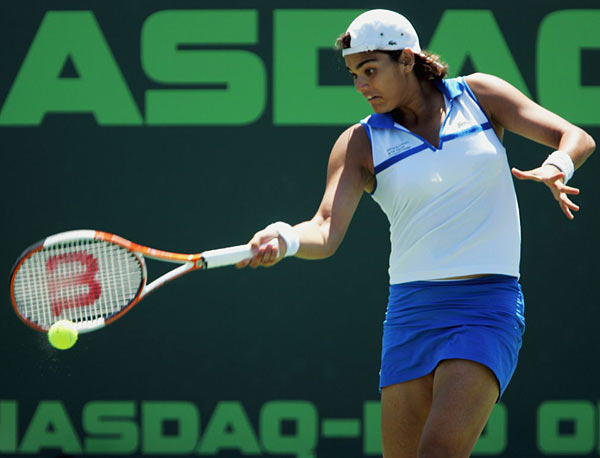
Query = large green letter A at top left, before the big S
x=98 y=87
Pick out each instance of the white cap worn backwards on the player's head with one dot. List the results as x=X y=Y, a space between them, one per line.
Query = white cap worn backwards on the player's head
x=381 y=30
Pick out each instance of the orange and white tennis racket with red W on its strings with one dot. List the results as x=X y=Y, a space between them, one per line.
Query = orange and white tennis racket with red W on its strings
x=93 y=278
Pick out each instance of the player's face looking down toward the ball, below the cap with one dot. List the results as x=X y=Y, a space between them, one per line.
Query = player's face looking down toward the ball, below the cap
x=379 y=79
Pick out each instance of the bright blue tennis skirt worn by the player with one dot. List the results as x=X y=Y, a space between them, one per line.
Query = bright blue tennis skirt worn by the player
x=479 y=319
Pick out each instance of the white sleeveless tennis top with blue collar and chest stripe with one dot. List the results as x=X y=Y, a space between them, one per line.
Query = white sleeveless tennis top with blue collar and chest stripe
x=452 y=210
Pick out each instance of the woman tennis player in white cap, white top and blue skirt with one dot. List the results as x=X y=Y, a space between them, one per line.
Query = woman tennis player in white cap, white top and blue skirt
x=432 y=157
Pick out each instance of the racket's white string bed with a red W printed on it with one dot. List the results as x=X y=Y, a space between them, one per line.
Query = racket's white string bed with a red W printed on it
x=79 y=280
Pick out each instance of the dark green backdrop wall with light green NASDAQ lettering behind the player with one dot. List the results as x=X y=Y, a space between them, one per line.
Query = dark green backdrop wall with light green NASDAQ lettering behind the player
x=190 y=125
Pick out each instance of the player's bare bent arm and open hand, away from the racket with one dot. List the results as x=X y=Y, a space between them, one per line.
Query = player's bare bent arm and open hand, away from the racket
x=508 y=108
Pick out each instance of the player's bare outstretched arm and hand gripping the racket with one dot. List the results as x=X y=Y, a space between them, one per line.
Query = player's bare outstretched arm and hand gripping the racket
x=349 y=173
